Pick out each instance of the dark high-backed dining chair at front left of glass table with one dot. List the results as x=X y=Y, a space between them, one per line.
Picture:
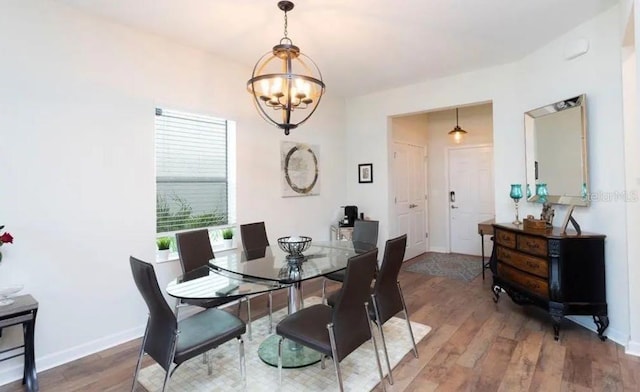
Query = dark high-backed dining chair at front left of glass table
x=170 y=342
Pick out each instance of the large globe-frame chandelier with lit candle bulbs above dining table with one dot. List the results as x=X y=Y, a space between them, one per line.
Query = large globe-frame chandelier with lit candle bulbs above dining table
x=286 y=85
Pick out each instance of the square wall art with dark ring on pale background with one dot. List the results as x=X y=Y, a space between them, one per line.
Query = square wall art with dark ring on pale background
x=300 y=169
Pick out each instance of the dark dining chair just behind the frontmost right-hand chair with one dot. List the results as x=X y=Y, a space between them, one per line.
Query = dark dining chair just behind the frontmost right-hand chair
x=387 y=293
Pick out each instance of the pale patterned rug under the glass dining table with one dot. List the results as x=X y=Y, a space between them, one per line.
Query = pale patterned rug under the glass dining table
x=359 y=370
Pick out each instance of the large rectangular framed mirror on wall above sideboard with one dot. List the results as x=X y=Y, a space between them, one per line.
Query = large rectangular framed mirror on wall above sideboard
x=556 y=152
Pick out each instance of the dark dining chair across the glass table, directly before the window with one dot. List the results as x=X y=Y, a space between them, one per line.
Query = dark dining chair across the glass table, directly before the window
x=194 y=251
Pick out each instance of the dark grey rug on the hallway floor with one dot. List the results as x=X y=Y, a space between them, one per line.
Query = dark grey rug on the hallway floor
x=451 y=265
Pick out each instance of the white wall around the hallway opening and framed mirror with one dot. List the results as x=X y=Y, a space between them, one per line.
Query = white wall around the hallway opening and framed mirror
x=541 y=78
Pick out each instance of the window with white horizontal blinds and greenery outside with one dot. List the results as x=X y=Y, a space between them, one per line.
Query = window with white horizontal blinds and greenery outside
x=192 y=171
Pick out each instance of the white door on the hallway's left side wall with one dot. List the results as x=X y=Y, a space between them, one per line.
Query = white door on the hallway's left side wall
x=410 y=190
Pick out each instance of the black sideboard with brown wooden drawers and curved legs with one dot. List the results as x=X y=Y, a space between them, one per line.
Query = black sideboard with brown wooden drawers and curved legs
x=563 y=274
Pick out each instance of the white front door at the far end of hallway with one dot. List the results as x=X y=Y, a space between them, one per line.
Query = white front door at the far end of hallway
x=470 y=196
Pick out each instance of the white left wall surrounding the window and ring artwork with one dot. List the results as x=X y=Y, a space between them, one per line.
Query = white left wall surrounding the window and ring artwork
x=77 y=190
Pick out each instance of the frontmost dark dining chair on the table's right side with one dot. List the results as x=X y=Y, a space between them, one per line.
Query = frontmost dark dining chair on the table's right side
x=336 y=332
